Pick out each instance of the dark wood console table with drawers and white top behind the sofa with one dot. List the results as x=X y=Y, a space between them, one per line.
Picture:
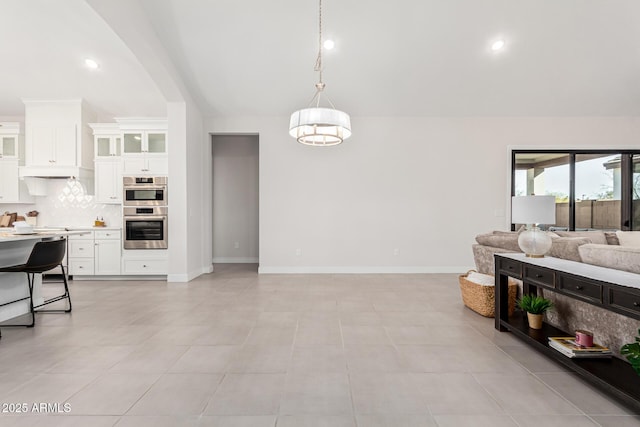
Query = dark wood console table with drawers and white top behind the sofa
x=610 y=289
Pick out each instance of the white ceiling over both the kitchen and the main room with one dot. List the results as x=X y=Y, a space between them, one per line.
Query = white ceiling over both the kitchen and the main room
x=400 y=58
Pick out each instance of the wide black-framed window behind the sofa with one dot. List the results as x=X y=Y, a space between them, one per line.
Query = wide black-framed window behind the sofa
x=591 y=186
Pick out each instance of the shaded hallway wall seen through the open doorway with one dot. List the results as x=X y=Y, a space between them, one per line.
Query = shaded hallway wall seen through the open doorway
x=235 y=198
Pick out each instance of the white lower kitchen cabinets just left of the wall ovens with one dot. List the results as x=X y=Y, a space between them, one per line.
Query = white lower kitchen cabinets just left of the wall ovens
x=95 y=253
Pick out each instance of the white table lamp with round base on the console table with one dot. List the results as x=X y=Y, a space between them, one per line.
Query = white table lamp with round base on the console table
x=531 y=211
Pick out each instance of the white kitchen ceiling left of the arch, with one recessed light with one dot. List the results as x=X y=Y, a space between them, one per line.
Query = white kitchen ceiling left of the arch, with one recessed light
x=44 y=45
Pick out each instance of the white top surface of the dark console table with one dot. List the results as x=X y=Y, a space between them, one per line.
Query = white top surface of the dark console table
x=603 y=274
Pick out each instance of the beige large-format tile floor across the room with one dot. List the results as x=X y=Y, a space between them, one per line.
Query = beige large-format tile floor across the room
x=237 y=349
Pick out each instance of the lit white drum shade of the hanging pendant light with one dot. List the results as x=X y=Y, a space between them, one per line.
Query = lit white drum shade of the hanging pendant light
x=320 y=126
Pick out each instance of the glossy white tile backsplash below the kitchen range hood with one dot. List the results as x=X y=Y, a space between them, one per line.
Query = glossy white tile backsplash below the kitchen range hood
x=68 y=204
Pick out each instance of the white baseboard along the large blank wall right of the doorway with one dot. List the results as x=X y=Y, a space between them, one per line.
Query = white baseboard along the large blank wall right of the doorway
x=362 y=270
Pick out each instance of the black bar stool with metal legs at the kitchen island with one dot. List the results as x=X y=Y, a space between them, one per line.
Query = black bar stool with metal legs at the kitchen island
x=45 y=256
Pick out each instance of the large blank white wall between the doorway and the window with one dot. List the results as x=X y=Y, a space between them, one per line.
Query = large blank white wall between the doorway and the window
x=423 y=186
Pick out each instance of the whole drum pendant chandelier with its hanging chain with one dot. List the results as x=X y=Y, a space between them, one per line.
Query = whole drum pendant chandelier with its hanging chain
x=316 y=125
